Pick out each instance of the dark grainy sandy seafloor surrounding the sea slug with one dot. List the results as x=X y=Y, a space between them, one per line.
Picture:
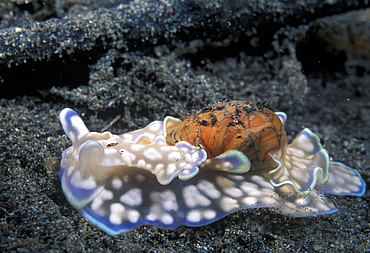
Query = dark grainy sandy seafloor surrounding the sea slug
x=124 y=64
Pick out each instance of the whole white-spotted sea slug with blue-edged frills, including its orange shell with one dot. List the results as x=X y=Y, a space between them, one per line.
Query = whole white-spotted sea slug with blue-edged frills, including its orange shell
x=165 y=176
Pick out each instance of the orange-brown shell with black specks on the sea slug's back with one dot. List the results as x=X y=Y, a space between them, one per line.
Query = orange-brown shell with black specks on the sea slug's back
x=247 y=127
